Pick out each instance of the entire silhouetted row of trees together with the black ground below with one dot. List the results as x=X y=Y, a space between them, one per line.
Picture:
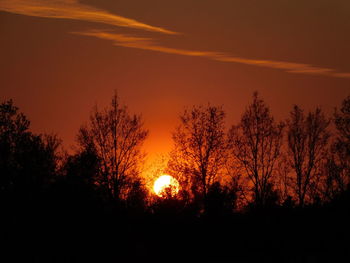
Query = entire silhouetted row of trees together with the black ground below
x=260 y=190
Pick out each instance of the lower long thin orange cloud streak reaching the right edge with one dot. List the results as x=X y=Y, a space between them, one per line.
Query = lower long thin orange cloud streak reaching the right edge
x=149 y=44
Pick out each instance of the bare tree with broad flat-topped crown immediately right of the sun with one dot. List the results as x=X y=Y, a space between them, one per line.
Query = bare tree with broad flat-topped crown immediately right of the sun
x=199 y=152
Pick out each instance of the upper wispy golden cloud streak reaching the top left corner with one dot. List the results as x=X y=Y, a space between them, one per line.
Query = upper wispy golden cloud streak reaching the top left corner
x=72 y=9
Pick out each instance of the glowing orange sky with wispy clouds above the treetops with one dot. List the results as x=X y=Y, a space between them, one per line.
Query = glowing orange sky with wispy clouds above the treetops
x=59 y=58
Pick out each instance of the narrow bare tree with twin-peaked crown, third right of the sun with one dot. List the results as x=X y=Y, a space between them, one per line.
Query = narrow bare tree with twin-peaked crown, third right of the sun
x=307 y=140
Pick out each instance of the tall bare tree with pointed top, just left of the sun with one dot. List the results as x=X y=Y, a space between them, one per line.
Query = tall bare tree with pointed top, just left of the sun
x=117 y=137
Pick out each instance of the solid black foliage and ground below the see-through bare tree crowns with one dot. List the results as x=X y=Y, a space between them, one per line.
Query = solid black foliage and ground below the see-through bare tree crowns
x=53 y=209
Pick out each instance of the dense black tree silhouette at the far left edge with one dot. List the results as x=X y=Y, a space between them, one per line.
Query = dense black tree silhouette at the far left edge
x=28 y=162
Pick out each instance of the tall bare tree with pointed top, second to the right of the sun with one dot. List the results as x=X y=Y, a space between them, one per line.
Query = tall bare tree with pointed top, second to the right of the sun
x=255 y=145
